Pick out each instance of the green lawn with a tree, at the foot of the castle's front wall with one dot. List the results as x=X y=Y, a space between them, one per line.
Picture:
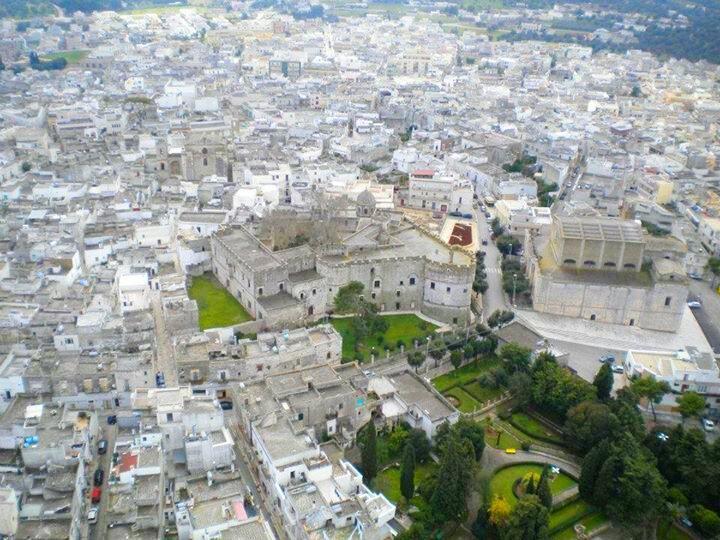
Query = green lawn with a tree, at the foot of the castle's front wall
x=405 y=327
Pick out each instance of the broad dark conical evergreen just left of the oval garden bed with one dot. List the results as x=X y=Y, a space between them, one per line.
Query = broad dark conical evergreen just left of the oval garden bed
x=454 y=479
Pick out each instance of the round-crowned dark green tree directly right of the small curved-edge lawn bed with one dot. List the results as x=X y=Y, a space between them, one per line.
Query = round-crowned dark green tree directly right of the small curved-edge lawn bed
x=587 y=424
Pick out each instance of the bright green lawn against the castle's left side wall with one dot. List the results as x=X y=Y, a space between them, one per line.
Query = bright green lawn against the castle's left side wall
x=217 y=307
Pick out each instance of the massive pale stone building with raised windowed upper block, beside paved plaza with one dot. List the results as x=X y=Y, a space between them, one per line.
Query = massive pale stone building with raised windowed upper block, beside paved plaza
x=598 y=269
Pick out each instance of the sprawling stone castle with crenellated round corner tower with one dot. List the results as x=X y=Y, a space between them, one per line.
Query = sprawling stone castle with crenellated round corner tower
x=402 y=267
